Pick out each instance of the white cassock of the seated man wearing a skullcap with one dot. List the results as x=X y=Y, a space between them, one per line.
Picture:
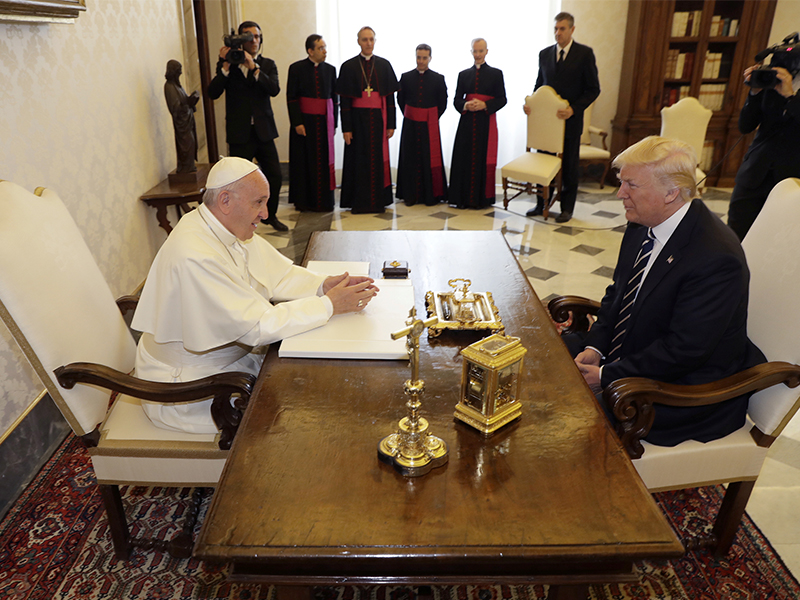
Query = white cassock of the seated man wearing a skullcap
x=207 y=308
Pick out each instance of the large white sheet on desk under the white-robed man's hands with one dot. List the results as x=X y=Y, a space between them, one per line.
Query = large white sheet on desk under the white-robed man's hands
x=361 y=335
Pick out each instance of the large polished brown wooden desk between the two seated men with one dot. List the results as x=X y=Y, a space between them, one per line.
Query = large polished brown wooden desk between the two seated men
x=554 y=499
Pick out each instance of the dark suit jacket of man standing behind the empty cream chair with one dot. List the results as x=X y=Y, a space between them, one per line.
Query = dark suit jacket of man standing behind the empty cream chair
x=576 y=81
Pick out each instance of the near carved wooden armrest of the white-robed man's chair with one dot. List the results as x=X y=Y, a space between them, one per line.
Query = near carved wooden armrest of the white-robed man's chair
x=222 y=386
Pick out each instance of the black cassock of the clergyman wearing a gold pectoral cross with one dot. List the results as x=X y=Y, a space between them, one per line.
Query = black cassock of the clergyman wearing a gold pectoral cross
x=366 y=181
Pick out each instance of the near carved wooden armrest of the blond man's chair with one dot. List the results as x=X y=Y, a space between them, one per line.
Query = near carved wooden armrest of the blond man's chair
x=631 y=399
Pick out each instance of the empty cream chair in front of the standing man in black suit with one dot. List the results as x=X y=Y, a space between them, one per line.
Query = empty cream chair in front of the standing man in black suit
x=534 y=172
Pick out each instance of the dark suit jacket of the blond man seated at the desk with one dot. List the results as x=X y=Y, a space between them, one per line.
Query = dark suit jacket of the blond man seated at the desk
x=688 y=325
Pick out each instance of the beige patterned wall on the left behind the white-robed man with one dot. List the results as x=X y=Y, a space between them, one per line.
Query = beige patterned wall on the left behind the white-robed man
x=83 y=113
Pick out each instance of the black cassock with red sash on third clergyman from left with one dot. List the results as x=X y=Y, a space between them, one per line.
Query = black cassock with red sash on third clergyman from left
x=420 y=169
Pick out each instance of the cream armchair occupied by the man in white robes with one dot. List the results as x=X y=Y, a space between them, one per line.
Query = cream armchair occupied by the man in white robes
x=61 y=312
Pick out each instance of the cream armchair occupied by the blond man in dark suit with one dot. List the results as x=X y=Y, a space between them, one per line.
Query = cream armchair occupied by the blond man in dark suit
x=772 y=247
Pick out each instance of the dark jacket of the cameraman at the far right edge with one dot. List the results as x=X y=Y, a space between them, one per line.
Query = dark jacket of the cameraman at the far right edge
x=775 y=147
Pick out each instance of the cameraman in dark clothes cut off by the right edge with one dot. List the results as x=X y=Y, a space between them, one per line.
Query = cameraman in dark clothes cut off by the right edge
x=774 y=155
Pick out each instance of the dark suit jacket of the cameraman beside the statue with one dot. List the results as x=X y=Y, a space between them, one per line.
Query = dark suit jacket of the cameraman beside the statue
x=246 y=99
